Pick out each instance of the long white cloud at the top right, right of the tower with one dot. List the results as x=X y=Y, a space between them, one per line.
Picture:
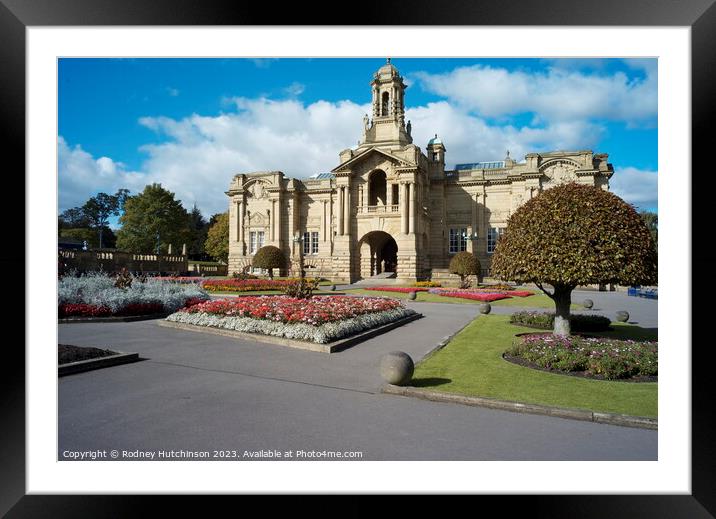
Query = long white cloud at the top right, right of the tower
x=555 y=95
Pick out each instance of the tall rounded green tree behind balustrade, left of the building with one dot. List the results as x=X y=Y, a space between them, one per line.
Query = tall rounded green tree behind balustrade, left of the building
x=153 y=220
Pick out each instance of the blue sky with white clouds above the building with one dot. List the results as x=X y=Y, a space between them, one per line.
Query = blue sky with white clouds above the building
x=192 y=124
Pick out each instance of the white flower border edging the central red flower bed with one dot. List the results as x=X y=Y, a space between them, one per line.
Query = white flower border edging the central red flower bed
x=322 y=334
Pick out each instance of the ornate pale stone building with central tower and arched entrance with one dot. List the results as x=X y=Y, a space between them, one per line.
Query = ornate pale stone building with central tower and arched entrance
x=389 y=207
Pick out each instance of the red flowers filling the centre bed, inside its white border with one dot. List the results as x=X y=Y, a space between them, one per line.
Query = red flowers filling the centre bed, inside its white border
x=314 y=311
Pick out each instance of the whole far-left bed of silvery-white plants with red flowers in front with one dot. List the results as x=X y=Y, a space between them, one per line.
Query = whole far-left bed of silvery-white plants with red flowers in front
x=94 y=295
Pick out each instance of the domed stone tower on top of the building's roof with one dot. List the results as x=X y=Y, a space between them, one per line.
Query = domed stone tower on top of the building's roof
x=388 y=124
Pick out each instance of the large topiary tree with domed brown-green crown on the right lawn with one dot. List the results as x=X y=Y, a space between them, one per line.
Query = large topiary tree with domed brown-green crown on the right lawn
x=573 y=235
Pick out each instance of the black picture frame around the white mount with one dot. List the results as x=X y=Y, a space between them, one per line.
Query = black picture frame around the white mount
x=699 y=15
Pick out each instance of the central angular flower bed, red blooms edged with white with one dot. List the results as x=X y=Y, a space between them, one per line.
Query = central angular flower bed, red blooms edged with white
x=321 y=319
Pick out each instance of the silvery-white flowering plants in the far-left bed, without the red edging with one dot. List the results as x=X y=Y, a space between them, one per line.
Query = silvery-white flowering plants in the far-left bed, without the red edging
x=98 y=289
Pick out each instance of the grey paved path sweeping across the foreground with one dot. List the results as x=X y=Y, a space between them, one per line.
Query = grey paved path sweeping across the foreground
x=205 y=392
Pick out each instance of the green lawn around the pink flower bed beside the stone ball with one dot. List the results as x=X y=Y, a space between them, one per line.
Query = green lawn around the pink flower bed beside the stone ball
x=472 y=364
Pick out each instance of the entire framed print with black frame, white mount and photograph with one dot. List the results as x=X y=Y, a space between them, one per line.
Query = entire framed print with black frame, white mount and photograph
x=321 y=141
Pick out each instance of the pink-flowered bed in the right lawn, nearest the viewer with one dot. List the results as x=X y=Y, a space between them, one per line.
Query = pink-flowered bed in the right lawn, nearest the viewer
x=596 y=357
